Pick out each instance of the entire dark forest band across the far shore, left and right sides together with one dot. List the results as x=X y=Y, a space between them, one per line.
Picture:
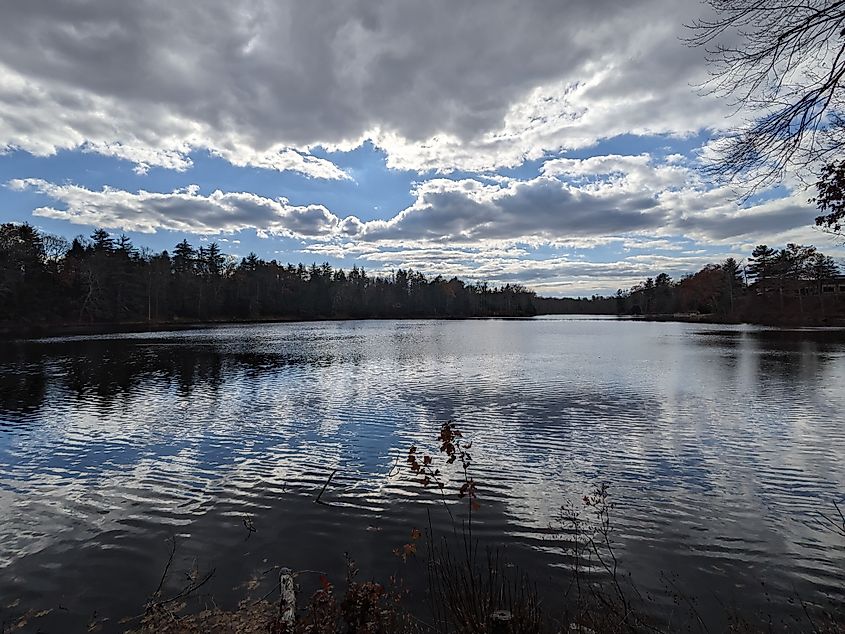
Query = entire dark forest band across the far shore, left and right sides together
x=48 y=282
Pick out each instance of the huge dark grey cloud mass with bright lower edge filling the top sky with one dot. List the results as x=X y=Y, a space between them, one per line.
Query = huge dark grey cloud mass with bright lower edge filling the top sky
x=437 y=85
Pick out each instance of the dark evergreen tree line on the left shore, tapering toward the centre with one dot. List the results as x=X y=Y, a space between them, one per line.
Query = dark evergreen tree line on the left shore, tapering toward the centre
x=45 y=279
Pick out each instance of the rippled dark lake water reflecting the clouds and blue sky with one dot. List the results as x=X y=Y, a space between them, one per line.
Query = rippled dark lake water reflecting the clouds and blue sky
x=722 y=444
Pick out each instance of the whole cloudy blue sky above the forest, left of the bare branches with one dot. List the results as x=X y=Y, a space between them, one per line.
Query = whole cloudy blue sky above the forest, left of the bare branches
x=553 y=144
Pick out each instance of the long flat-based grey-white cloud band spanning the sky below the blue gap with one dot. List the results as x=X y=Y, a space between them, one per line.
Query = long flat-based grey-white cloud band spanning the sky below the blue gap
x=579 y=203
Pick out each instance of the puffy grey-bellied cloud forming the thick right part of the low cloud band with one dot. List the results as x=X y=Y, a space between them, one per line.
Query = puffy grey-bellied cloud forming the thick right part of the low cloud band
x=585 y=202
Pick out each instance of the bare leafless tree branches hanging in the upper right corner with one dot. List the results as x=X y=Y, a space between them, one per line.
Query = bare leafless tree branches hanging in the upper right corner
x=782 y=66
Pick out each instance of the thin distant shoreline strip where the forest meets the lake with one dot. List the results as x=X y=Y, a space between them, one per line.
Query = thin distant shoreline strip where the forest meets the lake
x=37 y=331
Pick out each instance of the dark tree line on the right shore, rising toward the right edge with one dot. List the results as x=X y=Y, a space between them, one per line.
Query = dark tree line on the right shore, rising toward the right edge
x=793 y=284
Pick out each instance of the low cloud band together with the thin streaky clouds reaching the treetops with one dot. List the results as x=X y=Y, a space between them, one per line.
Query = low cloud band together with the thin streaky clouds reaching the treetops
x=652 y=214
